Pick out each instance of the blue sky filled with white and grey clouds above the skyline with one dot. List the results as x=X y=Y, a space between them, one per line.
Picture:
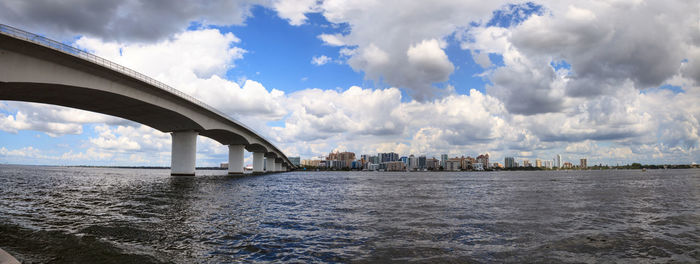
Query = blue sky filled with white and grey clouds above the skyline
x=615 y=81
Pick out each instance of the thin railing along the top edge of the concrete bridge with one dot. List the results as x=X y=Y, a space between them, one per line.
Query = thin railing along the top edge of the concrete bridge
x=55 y=45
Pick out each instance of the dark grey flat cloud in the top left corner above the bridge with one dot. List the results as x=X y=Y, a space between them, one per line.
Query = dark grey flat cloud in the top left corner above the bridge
x=136 y=20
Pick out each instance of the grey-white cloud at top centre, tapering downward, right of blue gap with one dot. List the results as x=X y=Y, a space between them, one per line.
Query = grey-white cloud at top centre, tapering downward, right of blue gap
x=382 y=43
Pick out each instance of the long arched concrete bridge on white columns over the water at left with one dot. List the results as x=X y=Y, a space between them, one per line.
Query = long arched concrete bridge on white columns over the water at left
x=37 y=69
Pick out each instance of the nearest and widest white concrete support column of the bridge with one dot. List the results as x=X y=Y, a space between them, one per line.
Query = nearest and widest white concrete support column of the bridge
x=183 y=153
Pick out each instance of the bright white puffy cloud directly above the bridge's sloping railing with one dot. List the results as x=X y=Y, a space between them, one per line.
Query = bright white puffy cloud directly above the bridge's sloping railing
x=197 y=72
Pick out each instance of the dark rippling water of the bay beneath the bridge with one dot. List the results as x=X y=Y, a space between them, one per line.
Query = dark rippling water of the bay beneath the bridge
x=88 y=215
